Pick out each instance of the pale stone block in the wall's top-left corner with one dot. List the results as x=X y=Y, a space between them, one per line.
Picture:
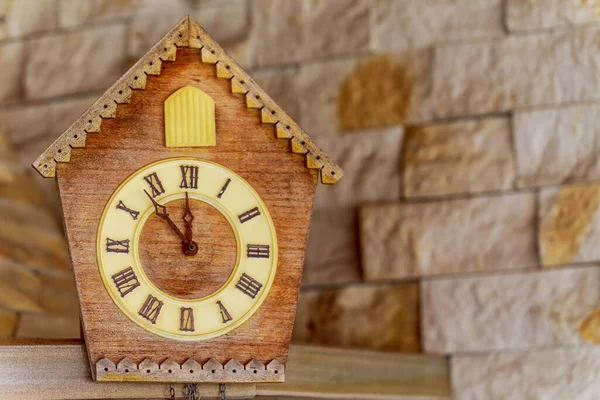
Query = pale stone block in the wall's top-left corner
x=23 y=17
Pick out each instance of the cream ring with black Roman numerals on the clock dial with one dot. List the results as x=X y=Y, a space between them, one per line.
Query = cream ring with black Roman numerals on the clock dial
x=118 y=249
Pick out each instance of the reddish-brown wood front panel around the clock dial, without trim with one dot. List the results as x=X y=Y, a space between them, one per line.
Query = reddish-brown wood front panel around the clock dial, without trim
x=245 y=145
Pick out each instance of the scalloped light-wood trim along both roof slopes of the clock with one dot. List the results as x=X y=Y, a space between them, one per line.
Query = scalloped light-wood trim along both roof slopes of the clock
x=187 y=33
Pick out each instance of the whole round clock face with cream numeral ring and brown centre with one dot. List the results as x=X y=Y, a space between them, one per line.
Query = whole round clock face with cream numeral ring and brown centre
x=187 y=249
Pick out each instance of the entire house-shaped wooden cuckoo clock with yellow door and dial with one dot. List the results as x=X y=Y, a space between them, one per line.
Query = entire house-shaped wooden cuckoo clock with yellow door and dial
x=187 y=194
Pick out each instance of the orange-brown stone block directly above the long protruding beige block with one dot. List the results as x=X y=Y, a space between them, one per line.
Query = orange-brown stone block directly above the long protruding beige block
x=458 y=157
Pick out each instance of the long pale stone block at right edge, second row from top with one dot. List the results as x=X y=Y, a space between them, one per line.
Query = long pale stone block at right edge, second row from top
x=521 y=71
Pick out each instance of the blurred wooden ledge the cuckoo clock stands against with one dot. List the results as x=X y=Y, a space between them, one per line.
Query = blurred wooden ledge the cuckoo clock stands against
x=59 y=369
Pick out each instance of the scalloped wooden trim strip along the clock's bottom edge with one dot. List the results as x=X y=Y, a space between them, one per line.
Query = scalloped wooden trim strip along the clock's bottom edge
x=189 y=372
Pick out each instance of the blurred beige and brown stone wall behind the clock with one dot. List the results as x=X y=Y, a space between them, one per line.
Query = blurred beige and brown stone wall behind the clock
x=468 y=221
